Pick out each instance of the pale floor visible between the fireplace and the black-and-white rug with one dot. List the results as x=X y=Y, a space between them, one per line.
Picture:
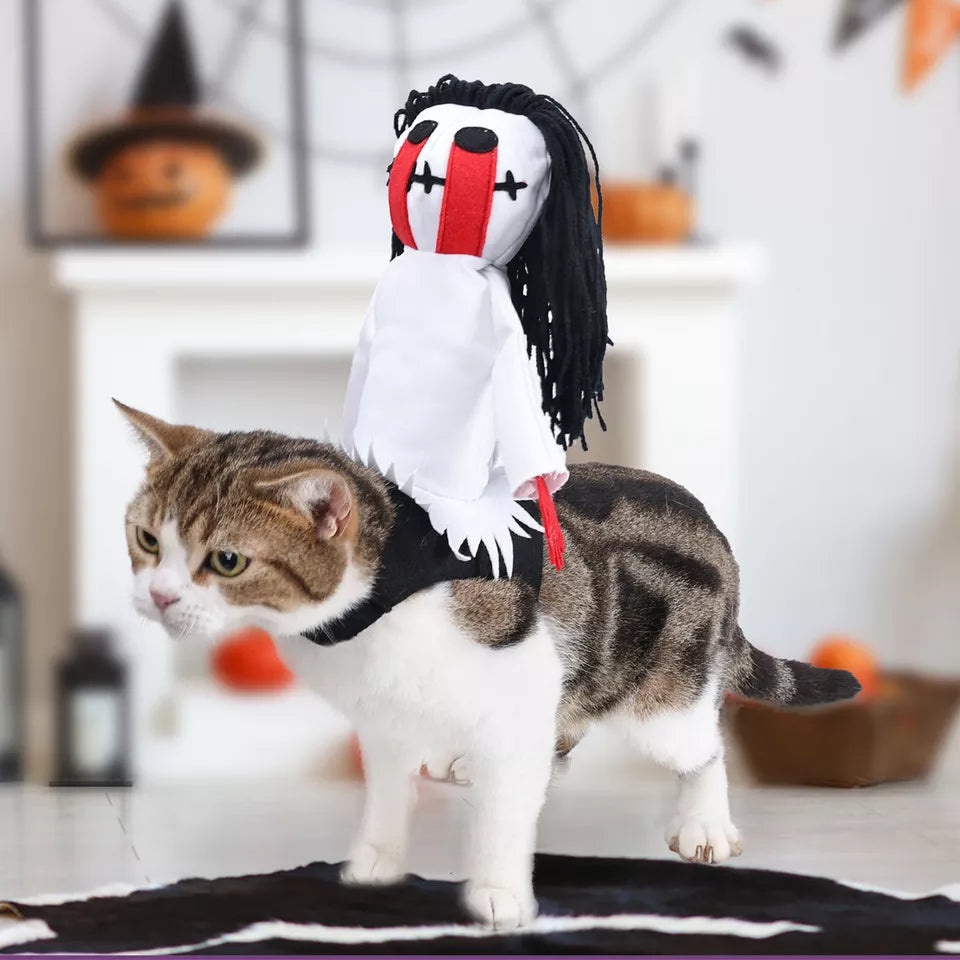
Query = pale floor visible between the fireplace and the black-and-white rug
x=901 y=836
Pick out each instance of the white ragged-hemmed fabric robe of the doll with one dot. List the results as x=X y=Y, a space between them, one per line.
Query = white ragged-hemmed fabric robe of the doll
x=444 y=398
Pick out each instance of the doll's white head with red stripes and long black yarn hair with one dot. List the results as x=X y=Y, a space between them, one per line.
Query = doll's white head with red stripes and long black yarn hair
x=500 y=172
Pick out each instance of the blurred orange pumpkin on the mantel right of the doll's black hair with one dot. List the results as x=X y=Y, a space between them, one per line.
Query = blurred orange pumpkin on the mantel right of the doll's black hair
x=646 y=213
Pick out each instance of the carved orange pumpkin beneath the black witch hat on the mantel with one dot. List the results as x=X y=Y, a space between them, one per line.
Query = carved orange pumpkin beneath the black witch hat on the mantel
x=163 y=189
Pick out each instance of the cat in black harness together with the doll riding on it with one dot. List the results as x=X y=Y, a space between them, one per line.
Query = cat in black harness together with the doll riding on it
x=498 y=267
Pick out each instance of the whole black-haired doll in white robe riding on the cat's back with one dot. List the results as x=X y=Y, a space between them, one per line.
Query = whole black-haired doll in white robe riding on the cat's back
x=481 y=354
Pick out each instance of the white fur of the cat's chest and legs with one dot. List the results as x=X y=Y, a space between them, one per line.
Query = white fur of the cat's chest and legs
x=422 y=692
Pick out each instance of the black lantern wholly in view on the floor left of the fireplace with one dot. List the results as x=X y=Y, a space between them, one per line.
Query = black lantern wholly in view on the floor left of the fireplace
x=93 y=733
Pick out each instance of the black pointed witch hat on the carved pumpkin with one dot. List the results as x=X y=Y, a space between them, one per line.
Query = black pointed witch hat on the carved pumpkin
x=164 y=106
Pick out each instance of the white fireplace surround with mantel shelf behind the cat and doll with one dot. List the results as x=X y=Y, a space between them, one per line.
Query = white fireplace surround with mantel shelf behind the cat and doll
x=140 y=314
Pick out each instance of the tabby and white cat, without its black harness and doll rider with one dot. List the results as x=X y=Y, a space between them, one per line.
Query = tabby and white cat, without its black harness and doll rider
x=474 y=679
